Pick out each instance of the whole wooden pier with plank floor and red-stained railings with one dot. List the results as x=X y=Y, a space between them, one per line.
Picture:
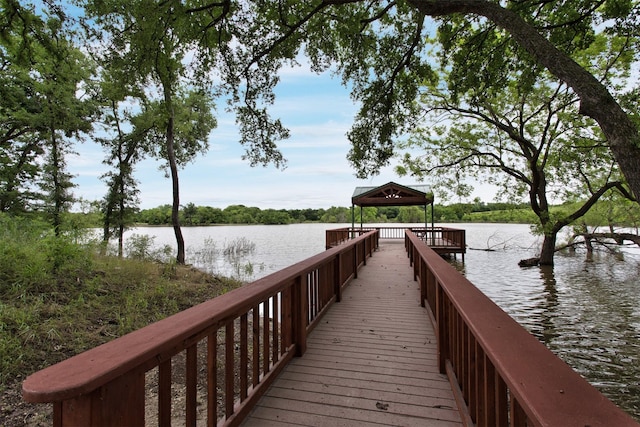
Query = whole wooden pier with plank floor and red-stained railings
x=370 y=360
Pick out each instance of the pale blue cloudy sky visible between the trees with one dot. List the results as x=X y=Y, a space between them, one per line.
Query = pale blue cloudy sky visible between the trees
x=318 y=111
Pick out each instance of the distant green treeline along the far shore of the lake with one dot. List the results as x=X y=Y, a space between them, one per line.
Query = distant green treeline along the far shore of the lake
x=240 y=214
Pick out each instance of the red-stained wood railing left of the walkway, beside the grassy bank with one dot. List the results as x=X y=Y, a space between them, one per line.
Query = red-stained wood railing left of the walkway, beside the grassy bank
x=229 y=348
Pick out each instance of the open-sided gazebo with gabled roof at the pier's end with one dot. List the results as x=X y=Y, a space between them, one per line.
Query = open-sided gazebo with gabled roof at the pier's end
x=392 y=194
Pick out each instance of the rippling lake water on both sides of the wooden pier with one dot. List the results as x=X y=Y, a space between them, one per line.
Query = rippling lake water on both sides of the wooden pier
x=587 y=312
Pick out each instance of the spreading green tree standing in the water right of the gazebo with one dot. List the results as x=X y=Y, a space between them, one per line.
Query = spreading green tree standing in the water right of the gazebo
x=524 y=136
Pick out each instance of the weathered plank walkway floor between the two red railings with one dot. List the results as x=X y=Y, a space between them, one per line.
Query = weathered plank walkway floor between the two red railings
x=371 y=361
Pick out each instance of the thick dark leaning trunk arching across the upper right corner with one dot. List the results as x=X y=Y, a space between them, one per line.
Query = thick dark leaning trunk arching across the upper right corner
x=595 y=100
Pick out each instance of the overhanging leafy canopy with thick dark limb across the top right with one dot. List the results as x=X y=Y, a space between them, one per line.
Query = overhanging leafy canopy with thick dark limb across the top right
x=382 y=49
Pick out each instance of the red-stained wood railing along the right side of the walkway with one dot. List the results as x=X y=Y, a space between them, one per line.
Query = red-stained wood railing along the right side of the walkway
x=503 y=374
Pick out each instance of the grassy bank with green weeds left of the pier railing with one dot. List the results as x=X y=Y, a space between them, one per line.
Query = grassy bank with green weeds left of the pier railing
x=59 y=298
